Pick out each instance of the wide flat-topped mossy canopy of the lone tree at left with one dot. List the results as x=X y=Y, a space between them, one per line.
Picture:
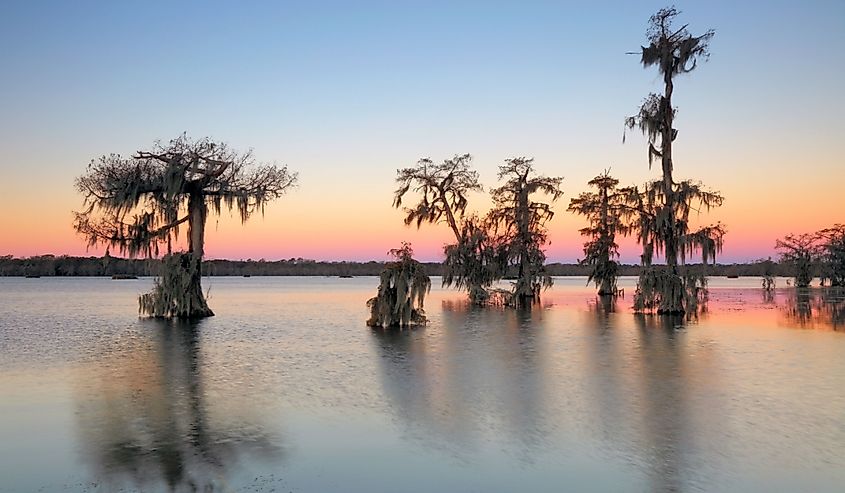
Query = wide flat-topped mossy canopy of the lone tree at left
x=138 y=203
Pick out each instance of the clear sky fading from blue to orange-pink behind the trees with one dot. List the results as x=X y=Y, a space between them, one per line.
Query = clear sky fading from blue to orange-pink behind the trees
x=347 y=92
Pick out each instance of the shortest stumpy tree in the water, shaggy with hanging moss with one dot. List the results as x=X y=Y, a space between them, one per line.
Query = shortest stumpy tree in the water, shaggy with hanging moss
x=401 y=292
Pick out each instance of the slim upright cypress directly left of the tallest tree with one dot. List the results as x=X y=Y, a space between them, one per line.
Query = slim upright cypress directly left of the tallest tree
x=605 y=209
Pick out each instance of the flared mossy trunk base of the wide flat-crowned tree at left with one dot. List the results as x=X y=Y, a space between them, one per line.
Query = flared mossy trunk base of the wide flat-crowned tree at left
x=177 y=292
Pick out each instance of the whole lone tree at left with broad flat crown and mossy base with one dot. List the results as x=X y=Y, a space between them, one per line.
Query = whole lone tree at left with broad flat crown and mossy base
x=139 y=204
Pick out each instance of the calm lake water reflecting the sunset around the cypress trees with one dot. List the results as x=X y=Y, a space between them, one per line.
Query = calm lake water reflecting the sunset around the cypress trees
x=286 y=389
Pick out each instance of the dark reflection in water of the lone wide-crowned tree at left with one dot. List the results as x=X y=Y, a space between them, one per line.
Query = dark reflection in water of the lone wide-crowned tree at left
x=145 y=421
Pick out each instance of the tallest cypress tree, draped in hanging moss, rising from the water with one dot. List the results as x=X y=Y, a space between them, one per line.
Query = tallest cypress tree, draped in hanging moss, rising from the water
x=664 y=226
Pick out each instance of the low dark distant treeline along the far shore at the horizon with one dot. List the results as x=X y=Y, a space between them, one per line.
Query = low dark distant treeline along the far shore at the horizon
x=51 y=265
